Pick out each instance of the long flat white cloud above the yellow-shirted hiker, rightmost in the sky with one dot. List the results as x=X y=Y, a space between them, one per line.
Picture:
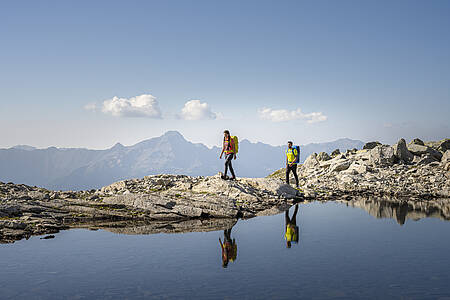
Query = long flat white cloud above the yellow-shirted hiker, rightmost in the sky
x=281 y=115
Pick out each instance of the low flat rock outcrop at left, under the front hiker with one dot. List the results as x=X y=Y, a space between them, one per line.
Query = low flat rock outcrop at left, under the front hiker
x=168 y=200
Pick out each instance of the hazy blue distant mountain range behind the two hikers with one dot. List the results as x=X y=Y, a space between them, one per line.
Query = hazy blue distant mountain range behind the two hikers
x=76 y=168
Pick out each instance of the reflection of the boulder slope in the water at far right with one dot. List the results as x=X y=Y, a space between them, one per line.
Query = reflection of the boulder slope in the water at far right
x=403 y=210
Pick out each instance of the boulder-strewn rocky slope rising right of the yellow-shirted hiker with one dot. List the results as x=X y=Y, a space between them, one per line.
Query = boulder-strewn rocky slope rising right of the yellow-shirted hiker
x=415 y=171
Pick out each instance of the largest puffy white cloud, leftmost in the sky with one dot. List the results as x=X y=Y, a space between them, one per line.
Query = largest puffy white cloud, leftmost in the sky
x=144 y=106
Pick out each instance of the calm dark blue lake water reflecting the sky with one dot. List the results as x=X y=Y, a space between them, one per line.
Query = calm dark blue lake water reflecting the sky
x=342 y=252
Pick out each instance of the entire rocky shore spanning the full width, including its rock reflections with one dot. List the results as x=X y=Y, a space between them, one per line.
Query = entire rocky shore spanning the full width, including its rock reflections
x=393 y=181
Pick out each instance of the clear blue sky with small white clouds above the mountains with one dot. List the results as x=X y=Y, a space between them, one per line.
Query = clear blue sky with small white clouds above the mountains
x=310 y=71
